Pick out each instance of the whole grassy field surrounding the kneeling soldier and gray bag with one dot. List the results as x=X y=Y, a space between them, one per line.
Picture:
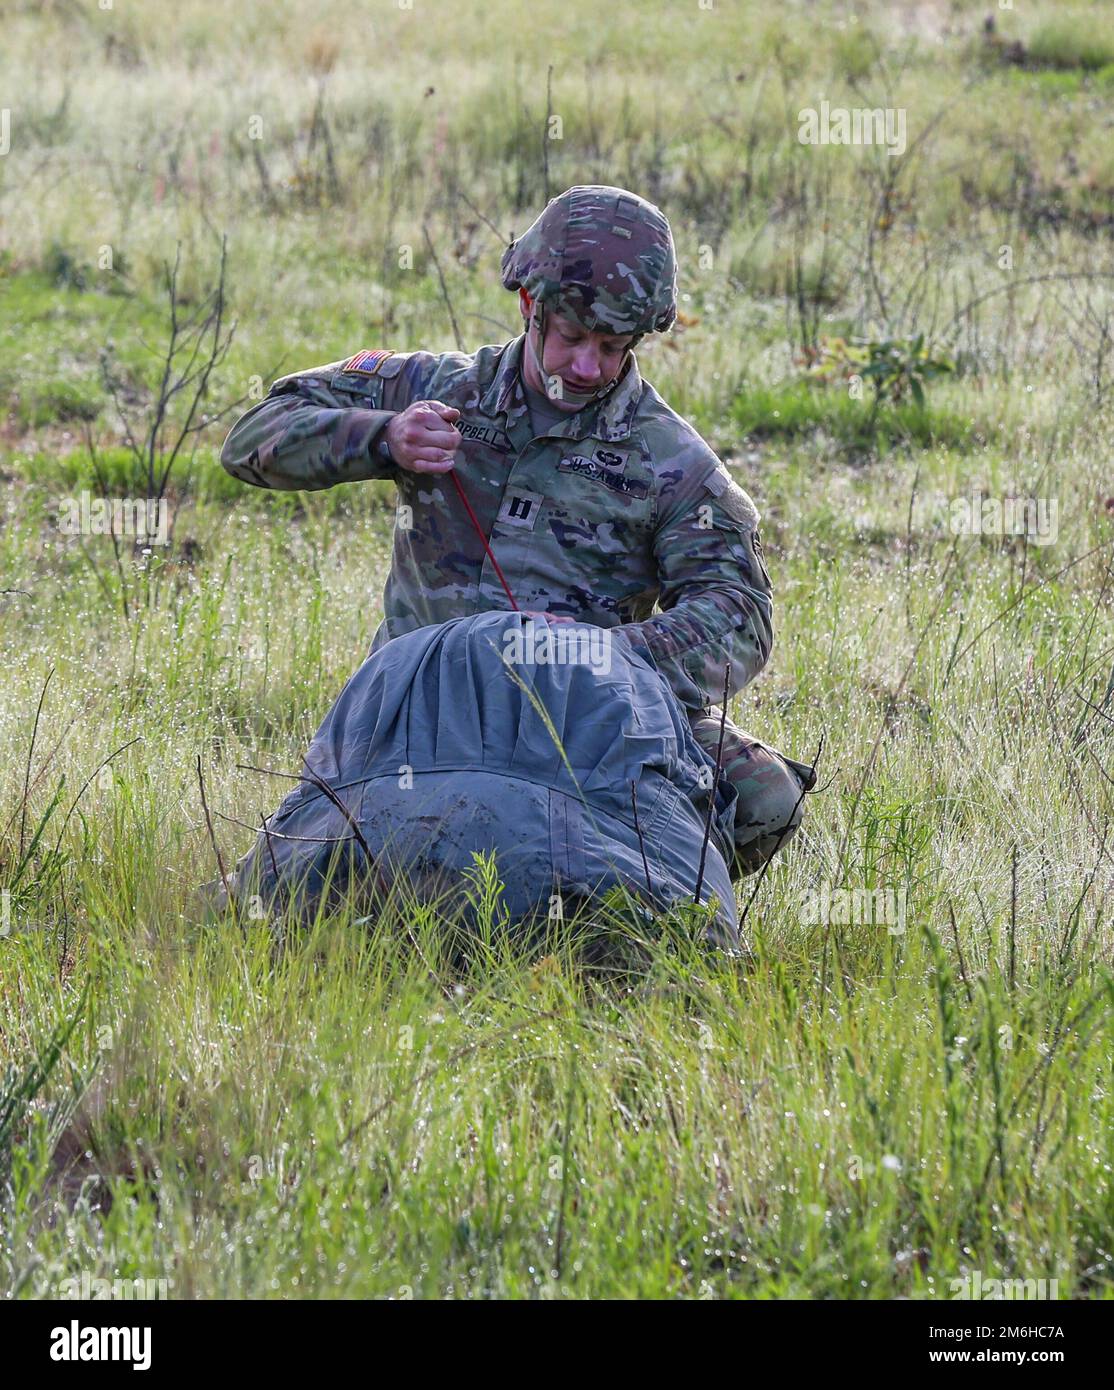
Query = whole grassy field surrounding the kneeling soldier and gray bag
x=864 y=1110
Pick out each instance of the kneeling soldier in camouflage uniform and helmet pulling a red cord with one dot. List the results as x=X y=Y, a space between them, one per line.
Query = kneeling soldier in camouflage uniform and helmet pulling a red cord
x=596 y=501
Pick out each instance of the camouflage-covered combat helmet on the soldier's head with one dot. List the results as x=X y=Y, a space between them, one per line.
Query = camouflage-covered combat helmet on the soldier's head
x=600 y=256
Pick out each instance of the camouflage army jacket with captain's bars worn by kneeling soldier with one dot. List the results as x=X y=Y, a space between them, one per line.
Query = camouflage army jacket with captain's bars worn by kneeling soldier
x=618 y=508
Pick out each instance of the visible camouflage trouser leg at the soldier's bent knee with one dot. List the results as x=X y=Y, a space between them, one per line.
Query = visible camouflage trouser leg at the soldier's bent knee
x=770 y=787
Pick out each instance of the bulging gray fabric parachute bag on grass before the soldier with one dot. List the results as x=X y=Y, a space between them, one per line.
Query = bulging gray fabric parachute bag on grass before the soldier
x=446 y=746
